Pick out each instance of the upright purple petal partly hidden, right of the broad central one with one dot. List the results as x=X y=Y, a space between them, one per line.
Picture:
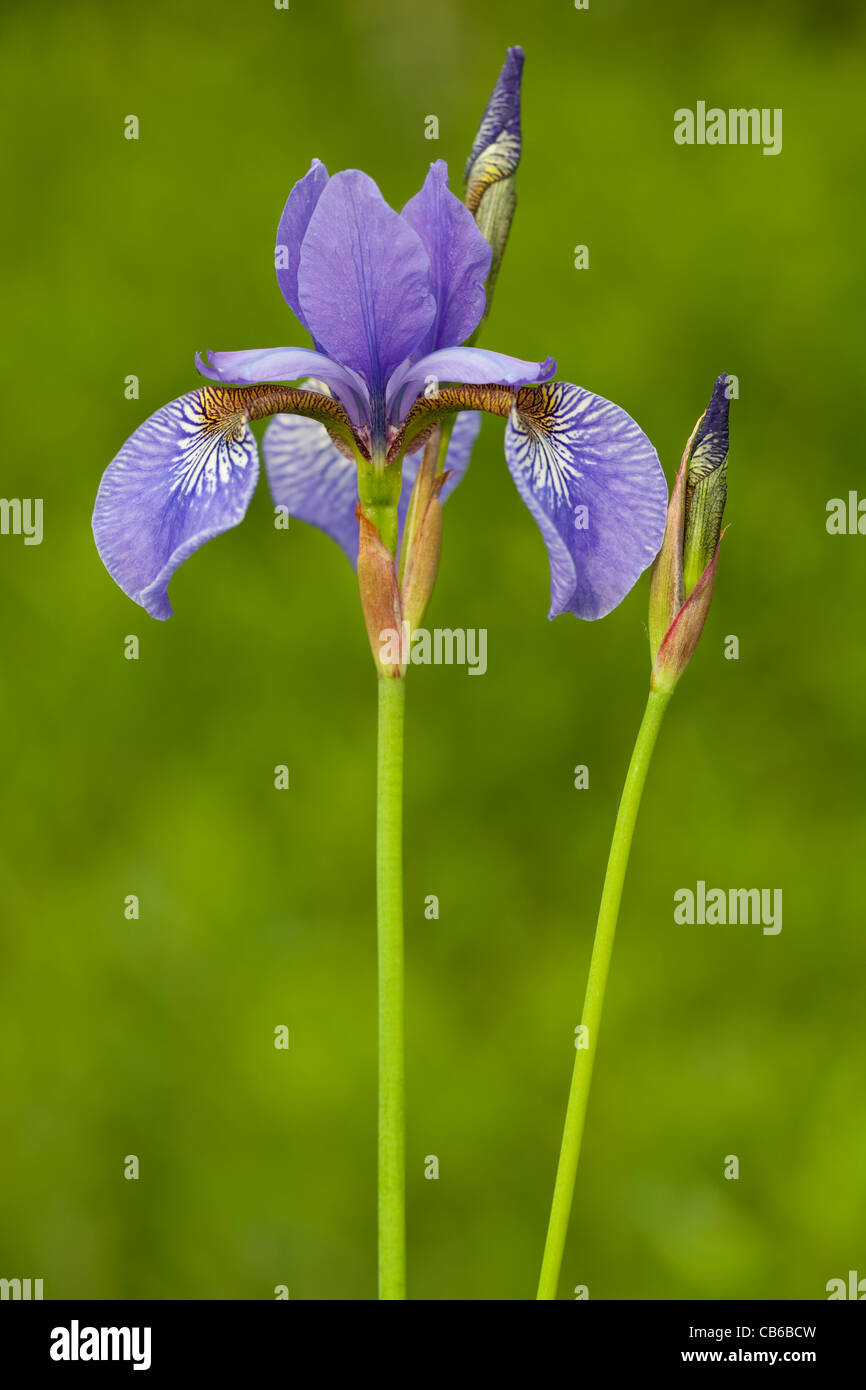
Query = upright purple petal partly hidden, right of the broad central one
x=459 y=259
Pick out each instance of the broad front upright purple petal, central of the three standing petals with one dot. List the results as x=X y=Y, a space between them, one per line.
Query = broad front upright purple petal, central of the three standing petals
x=363 y=280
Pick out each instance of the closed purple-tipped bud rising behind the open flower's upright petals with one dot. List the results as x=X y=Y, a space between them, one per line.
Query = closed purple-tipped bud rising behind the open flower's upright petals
x=493 y=163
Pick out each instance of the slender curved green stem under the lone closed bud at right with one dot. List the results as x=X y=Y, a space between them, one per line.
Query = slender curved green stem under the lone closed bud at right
x=594 y=1003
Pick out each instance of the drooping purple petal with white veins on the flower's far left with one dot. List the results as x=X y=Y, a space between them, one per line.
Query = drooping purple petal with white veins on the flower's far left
x=184 y=477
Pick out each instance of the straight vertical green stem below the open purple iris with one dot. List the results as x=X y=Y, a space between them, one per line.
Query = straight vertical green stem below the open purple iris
x=390 y=901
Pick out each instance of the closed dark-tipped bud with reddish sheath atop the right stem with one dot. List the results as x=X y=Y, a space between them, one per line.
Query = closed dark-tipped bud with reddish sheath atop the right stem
x=685 y=571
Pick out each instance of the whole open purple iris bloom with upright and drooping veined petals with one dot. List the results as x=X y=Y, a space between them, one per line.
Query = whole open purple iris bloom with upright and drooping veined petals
x=389 y=300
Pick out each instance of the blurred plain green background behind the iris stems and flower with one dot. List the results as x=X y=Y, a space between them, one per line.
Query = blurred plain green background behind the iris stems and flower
x=156 y=778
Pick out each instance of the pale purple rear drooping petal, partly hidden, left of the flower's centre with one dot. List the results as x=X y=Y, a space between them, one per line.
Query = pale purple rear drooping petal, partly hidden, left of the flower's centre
x=309 y=476
